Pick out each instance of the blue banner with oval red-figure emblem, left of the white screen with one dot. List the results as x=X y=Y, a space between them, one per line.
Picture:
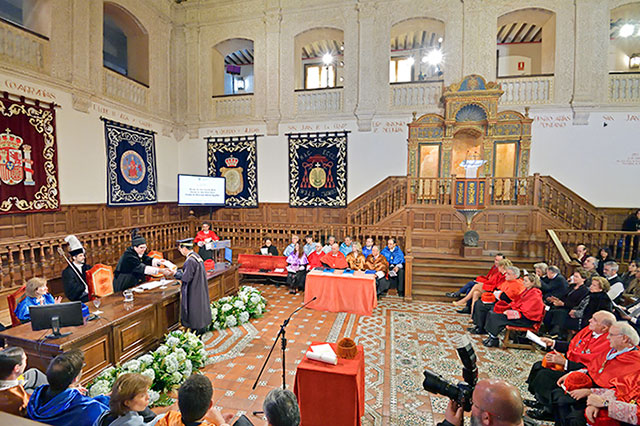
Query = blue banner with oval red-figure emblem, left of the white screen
x=131 y=165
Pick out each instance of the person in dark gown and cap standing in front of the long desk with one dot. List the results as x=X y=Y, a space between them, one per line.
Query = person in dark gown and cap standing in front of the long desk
x=195 y=310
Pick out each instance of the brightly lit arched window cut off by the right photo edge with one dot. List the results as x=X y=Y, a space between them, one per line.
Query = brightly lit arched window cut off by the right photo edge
x=624 y=38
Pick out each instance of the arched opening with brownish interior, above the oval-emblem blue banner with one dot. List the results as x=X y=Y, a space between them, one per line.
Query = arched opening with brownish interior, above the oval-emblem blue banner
x=125 y=44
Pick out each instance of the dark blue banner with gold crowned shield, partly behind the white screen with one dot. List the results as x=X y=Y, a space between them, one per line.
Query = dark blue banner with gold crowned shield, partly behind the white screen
x=234 y=158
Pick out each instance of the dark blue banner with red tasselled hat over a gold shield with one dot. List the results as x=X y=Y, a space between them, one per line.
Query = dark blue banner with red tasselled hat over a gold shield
x=318 y=169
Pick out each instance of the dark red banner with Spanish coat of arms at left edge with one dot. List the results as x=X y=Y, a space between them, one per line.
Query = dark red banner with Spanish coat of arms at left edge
x=28 y=157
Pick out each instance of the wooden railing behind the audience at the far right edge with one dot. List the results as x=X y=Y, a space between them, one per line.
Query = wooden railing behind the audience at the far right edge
x=562 y=243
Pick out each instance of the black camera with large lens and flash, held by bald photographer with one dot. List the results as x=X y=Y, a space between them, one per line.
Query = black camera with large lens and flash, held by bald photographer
x=462 y=392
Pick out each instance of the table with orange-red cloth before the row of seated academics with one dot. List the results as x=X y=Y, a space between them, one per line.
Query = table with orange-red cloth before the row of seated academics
x=336 y=292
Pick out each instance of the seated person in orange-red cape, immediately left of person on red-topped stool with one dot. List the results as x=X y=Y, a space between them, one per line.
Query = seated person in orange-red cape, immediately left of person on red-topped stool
x=506 y=291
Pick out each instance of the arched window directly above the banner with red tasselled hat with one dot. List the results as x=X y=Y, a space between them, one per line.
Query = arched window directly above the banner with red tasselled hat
x=319 y=58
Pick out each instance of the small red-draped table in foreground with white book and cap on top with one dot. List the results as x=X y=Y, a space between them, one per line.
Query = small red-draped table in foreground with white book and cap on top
x=331 y=394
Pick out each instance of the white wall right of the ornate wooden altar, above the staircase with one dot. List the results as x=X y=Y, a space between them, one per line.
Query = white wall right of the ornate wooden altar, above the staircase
x=600 y=163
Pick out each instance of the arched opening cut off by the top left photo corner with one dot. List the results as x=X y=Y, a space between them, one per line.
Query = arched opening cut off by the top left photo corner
x=33 y=15
